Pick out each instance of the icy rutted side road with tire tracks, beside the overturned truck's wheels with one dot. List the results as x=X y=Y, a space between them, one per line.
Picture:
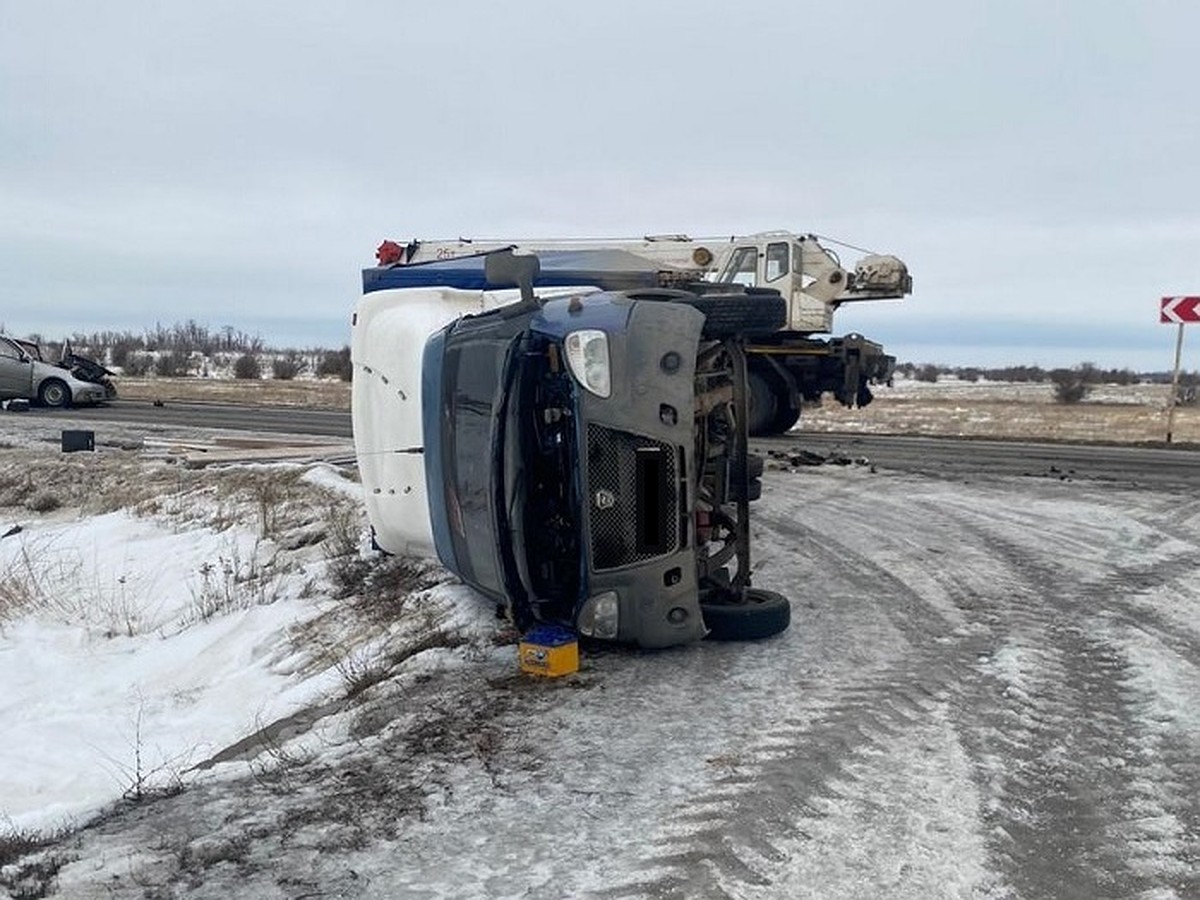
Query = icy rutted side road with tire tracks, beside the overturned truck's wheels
x=988 y=692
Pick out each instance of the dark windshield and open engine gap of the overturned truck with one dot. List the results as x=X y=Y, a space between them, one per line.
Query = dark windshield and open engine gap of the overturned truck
x=509 y=457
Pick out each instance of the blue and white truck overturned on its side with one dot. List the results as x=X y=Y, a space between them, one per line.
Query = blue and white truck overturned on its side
x=578 y=457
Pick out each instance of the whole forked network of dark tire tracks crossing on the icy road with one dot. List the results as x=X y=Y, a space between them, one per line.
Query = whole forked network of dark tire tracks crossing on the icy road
x=1058 y=761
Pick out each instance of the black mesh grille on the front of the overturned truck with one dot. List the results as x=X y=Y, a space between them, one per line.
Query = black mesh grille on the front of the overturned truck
x=633 y=497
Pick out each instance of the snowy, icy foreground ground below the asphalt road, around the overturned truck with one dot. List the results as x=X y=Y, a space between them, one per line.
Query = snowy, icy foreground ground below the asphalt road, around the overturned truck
x=212 y=689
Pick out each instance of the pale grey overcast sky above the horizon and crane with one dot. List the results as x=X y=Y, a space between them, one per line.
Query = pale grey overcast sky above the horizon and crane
x=1036 y=164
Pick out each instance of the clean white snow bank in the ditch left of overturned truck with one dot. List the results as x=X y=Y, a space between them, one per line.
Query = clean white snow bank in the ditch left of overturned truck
x=139 y=653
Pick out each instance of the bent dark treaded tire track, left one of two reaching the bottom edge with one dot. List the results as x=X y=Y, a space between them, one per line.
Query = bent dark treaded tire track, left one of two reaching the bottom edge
x=800 y=767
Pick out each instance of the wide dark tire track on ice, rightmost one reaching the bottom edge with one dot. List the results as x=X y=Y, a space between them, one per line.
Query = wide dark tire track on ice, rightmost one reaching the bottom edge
x=1070 y=806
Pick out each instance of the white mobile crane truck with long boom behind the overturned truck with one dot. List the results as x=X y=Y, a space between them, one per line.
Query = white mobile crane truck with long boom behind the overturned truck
x=785 y=368
